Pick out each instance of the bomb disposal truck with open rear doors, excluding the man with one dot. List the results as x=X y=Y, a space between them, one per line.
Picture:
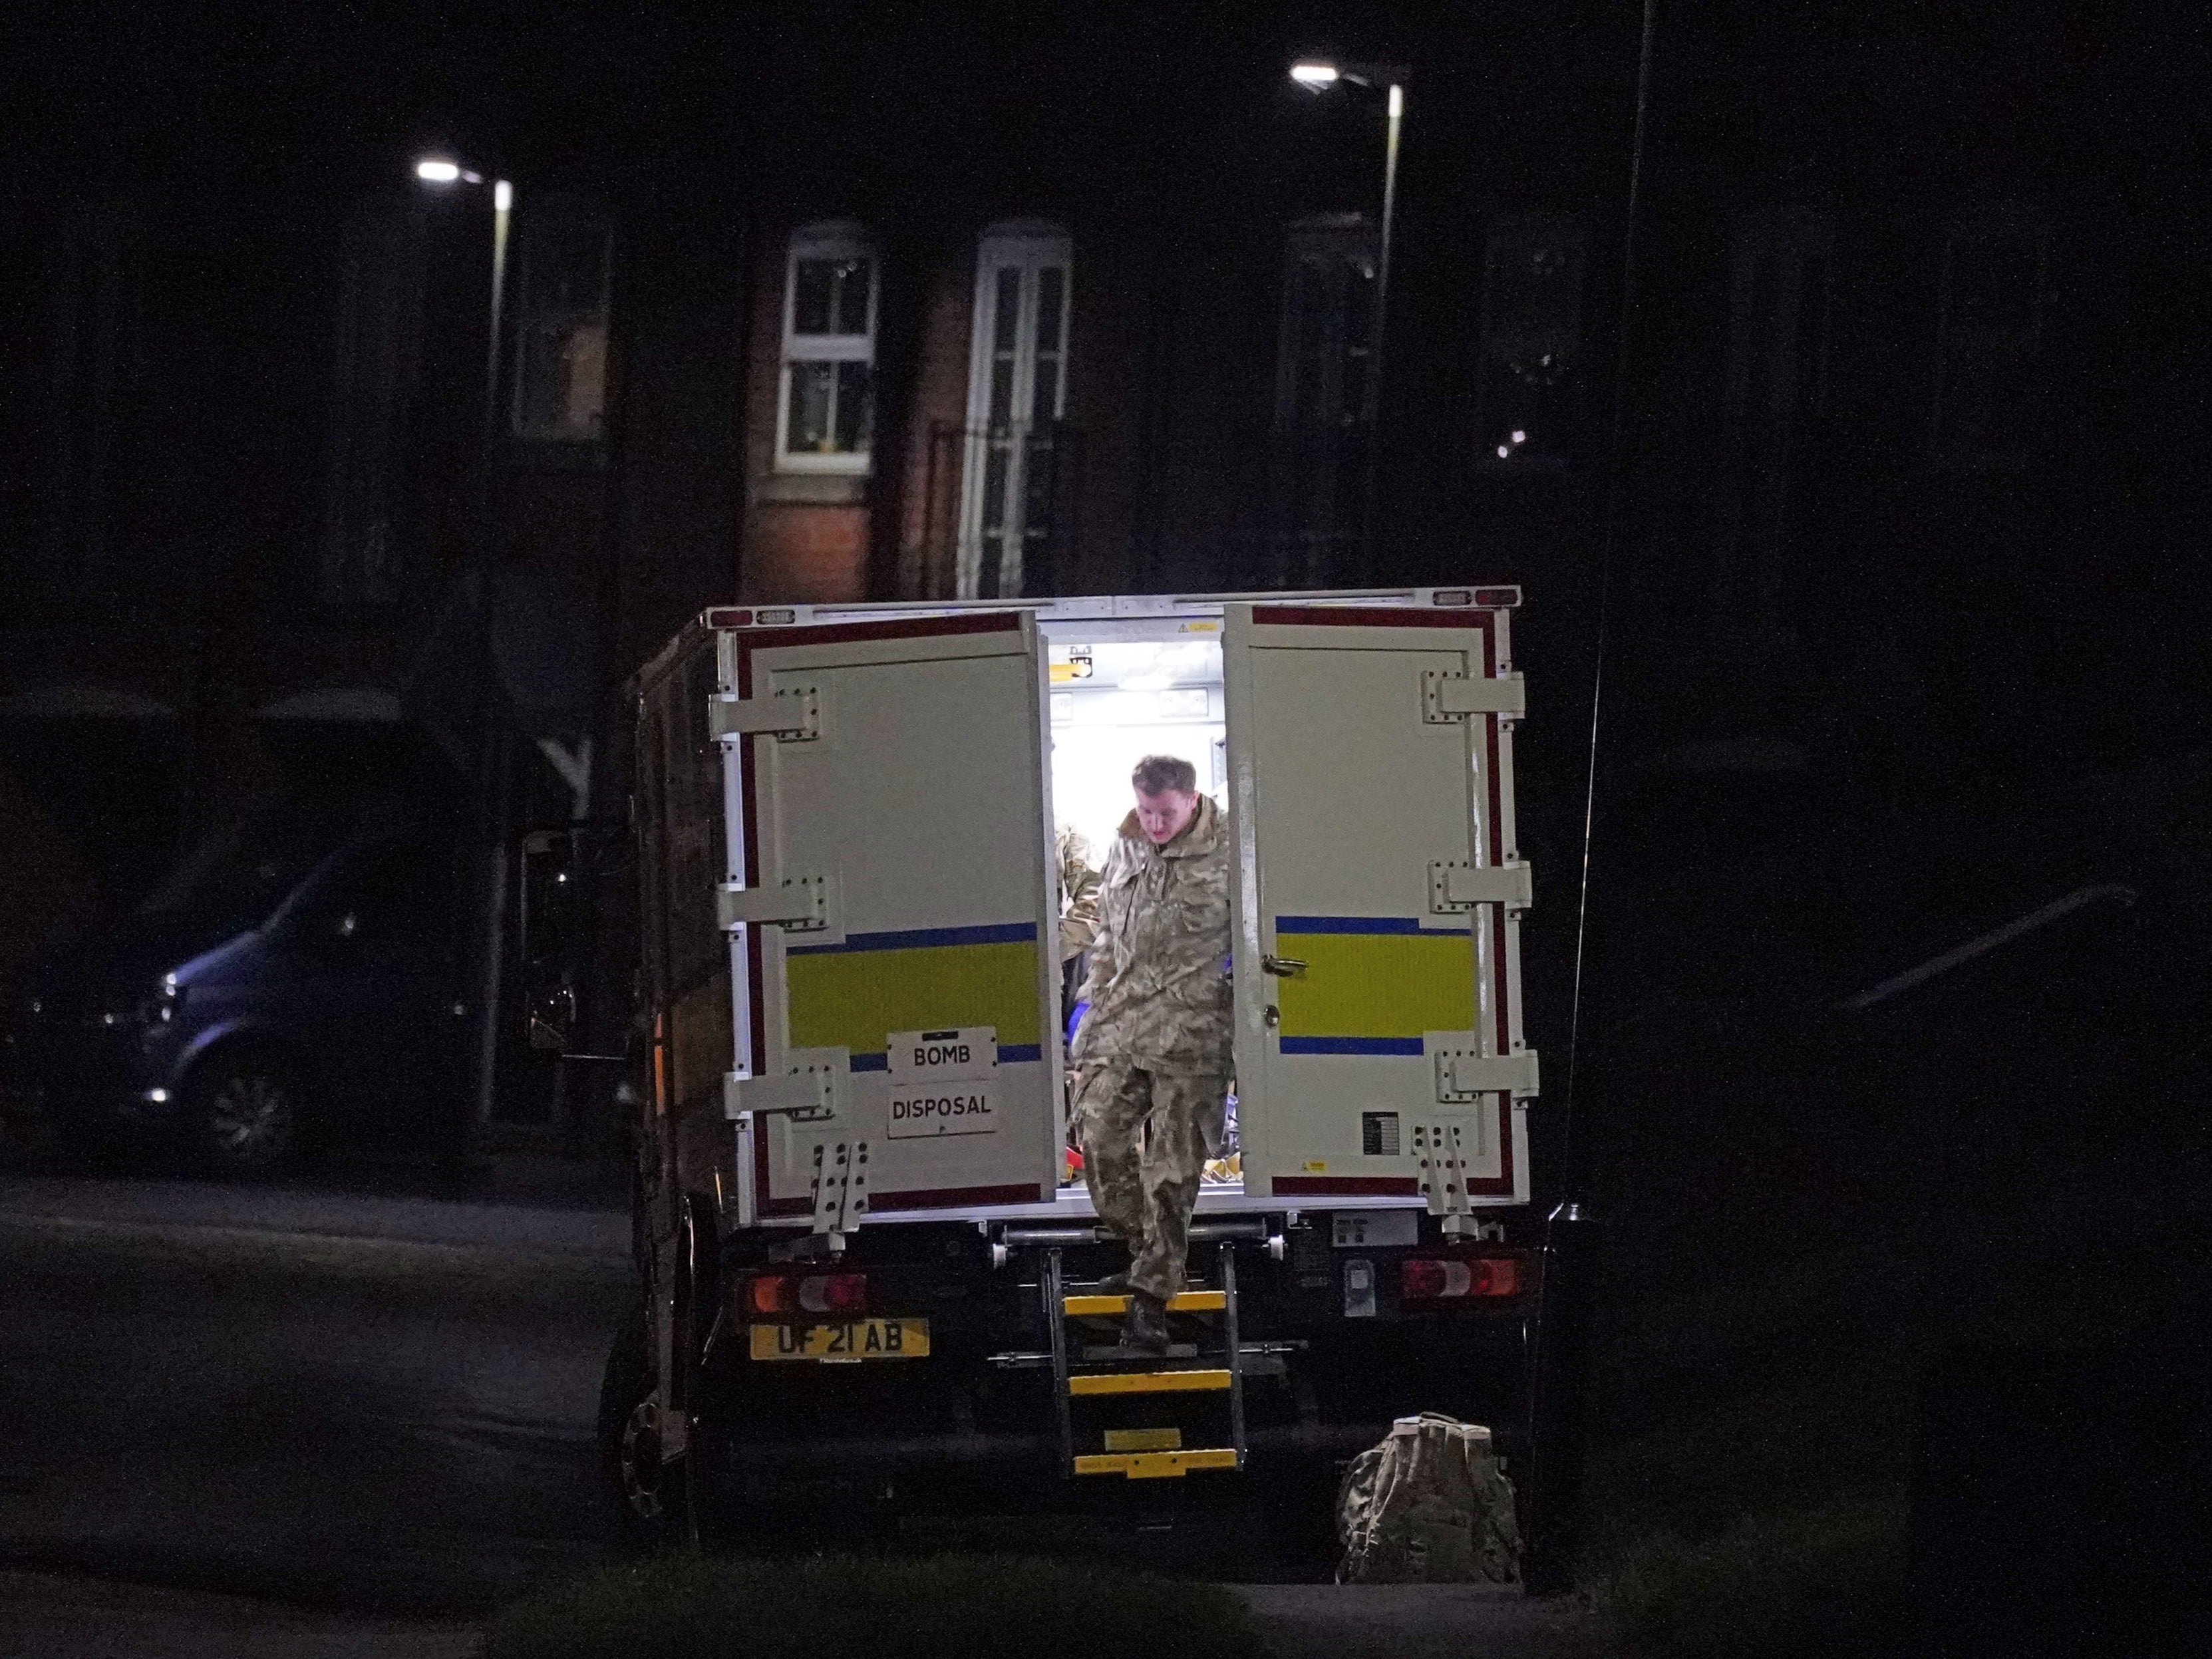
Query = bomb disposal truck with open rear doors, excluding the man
x=864 y=1251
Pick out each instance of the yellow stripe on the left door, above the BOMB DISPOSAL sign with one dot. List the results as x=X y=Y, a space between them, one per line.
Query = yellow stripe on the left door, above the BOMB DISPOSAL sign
x=857 y=999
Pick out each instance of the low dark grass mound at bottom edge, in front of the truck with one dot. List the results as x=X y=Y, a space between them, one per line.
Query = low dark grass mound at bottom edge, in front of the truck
x=842 y=1607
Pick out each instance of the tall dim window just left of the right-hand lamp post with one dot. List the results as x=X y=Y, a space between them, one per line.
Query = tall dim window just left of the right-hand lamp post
x=1322 y=388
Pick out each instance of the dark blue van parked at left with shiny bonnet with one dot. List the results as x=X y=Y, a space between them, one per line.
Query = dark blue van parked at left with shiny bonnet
x=291 y=981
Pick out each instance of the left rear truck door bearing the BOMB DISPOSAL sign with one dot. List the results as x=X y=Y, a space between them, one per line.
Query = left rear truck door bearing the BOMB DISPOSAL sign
x=893 y=970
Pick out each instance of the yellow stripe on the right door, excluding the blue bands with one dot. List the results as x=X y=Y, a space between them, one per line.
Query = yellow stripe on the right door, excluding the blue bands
x=1379 y=985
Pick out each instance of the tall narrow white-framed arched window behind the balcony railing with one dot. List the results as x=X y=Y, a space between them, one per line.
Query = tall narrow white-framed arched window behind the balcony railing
x=1019 y=390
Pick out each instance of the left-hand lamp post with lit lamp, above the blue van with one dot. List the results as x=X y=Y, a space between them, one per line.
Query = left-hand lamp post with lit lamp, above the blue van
x=497 y=766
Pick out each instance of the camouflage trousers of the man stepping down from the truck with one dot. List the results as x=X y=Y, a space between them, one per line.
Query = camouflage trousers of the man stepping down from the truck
x=1147 y=1138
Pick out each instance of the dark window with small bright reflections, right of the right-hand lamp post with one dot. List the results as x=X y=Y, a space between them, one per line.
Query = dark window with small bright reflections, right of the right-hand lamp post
x=1532 y=342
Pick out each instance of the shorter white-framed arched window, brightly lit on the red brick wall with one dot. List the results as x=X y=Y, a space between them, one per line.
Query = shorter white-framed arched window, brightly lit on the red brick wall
x=828 y=401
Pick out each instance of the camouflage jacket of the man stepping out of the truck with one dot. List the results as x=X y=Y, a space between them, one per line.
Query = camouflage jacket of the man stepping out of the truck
x=1158 y=988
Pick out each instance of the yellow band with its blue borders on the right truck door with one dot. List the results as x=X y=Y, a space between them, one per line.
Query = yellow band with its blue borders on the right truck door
x=1373 y=985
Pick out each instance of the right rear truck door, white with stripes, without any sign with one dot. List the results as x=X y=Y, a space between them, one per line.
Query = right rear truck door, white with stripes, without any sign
x=1379 y=1041
